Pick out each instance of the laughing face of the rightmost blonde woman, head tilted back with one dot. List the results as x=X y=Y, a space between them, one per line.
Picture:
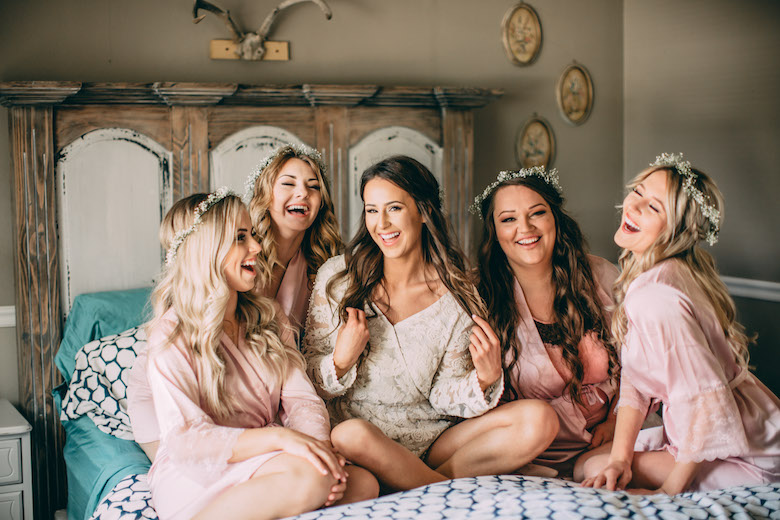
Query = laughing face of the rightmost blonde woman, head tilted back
x=644 y=214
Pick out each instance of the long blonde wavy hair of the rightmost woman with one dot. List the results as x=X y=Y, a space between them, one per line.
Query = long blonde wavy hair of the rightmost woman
x=686 y=227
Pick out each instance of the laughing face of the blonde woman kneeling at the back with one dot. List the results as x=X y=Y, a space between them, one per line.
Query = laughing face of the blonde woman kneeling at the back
x=296 y=197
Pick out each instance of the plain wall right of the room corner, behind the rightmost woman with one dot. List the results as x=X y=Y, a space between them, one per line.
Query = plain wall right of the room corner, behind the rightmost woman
x=701 y=77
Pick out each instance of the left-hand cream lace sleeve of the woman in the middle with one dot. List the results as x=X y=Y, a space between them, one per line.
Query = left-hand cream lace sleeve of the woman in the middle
x=322 y=326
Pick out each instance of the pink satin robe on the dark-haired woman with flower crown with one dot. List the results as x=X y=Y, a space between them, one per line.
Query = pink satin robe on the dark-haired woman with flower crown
x=540 y=373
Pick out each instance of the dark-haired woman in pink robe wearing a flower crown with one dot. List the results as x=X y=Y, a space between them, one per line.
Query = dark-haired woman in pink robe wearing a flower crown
x=547 y=301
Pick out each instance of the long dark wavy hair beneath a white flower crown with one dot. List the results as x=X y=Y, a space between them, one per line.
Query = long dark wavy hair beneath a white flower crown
x=576 y=306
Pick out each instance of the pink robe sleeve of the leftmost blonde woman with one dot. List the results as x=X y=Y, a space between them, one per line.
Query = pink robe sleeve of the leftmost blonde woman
x=188 y=434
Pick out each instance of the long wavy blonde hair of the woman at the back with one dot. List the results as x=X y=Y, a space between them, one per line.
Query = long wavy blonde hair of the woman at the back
x=321 y=241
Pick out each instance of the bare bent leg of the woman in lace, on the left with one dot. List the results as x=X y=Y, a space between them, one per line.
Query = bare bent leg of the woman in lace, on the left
x=365 y=445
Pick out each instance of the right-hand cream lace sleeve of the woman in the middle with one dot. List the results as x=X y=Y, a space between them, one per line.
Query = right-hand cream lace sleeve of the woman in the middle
x=455 y=390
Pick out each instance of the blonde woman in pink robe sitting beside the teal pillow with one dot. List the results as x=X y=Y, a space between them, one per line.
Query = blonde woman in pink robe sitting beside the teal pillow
x=225 y=375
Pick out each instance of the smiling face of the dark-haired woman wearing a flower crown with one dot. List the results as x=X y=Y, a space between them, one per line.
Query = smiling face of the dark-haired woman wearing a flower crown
x=525 y=227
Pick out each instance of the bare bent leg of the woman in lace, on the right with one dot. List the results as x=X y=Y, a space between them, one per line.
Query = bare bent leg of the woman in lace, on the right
x=500 y=441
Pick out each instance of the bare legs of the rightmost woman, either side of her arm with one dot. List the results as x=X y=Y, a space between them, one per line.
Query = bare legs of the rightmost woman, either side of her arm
x=649 y=468
